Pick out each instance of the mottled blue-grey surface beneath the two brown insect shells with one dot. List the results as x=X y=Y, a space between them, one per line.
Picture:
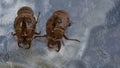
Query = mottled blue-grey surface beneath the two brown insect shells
x=94 y=22
